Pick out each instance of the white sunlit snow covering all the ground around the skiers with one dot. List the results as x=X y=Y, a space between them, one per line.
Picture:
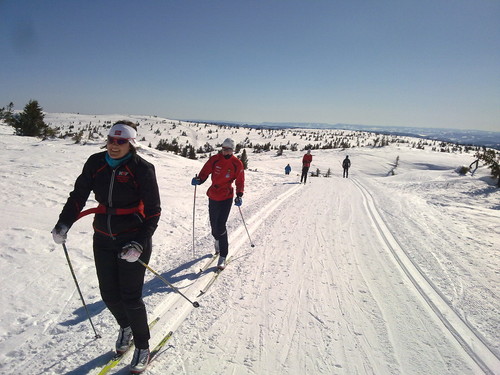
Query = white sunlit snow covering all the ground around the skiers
x=375 y=274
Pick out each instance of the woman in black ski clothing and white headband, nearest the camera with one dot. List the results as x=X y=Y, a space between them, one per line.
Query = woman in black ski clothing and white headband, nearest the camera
x=125 y=186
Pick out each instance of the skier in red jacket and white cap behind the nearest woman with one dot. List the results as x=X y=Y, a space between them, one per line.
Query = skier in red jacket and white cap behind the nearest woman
x=224 y=168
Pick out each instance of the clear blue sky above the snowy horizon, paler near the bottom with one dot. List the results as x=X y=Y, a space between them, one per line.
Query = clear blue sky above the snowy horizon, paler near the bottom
x=425 y=63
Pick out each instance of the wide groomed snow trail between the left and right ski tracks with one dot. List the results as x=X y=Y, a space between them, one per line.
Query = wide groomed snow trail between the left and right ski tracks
x=319 y=294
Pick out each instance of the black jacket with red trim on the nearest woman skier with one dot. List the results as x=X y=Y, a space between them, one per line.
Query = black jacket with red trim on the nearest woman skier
x=130 y=185
